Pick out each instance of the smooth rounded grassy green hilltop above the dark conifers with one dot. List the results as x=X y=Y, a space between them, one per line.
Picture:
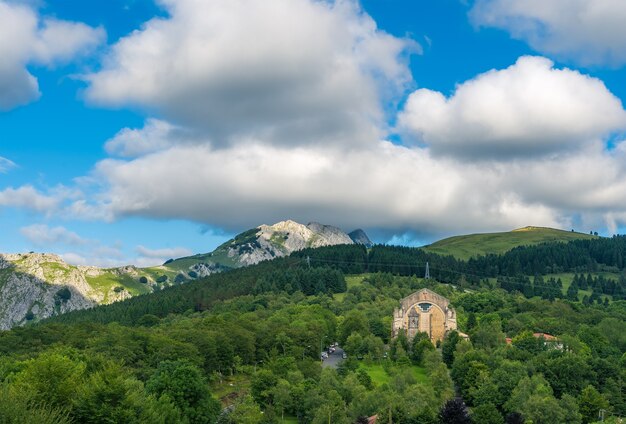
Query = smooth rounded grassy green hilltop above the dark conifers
x=467 y=246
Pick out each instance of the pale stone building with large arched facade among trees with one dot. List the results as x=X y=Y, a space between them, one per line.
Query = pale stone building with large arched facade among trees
x=424 y=311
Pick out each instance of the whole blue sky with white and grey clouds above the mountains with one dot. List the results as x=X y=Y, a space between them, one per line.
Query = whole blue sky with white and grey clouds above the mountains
x=133 y=131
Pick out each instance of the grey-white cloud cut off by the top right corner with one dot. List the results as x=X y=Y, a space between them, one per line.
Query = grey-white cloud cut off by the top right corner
x=589 y=32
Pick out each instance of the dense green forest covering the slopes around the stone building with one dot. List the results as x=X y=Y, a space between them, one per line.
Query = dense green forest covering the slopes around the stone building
x=244 y=346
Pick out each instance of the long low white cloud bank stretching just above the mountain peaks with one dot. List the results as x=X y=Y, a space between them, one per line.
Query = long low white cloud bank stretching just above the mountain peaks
x=387 y=186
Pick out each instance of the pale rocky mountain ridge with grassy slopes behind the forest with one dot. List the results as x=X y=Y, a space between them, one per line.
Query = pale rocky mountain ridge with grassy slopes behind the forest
x=35 y=286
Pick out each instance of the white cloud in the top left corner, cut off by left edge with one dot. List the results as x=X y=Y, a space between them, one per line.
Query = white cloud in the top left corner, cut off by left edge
x=35 y=40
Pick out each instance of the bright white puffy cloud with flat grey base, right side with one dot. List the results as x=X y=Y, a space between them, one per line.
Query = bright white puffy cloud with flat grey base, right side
x=526 y=110
